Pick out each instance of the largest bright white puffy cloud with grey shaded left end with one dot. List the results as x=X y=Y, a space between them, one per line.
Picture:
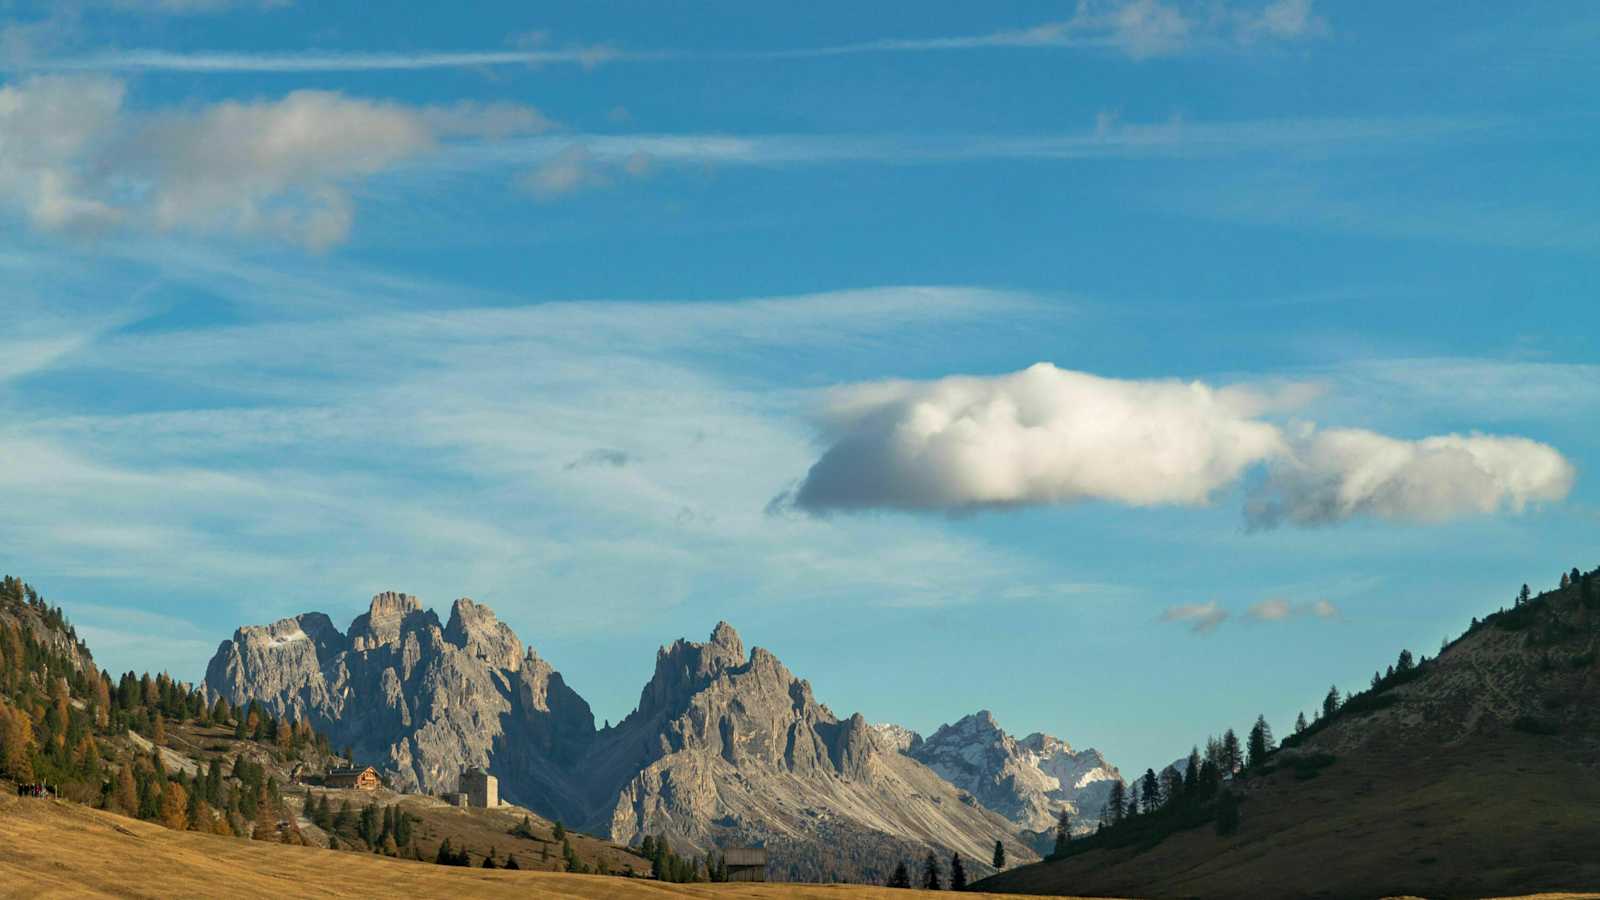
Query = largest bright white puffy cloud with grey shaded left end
x=1036 y=436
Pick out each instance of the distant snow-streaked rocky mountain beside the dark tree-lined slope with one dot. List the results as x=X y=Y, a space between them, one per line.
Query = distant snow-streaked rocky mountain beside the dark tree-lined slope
x=1028 y=781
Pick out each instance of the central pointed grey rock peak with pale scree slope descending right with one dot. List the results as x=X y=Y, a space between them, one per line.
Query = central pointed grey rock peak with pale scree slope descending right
x=730 y=750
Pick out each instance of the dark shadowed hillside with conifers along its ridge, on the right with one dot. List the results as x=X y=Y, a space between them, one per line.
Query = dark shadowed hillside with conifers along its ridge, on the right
x=1474 y=774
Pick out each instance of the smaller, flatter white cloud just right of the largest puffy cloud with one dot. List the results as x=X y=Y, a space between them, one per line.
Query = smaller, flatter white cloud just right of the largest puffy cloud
x=1346 y=473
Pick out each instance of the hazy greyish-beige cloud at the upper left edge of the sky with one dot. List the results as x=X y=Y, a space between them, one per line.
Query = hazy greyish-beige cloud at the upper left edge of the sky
x=74 y=158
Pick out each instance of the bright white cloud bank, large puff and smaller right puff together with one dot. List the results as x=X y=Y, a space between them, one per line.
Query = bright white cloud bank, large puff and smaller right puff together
x=1054 y=436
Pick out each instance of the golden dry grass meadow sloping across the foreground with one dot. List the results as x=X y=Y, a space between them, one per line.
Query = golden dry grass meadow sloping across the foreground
x=58 y=850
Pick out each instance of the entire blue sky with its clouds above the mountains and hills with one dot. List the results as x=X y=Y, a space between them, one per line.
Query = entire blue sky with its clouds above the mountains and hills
x=559 y=308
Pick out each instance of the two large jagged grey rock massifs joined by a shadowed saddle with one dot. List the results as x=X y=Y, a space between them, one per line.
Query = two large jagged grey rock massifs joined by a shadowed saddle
x=726 y=747
